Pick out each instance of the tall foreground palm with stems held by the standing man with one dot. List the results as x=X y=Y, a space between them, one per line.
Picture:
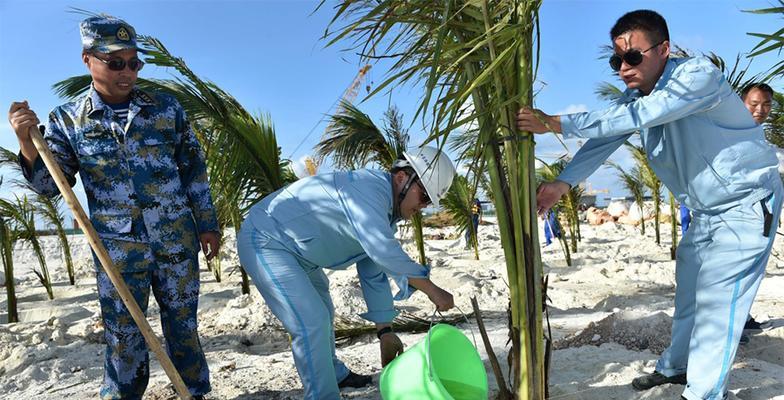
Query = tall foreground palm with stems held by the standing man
x=479 y=52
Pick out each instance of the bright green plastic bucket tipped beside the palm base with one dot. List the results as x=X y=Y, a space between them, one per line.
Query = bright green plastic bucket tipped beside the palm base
x=445 y=365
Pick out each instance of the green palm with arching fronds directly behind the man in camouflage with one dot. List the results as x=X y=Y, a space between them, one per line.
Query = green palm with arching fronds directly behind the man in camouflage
x=243 y=158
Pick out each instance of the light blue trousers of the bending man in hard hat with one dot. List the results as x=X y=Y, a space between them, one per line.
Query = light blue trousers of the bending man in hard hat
x=299 y=297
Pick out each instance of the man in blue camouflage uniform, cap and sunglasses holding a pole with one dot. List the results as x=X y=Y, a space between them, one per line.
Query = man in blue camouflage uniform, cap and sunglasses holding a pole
x=146 y=183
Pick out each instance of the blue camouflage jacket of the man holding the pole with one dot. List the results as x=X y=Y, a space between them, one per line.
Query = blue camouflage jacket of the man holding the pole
x=145 y=181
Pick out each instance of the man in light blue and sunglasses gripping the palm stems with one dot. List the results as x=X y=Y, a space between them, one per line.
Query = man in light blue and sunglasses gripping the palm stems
x=702 y=144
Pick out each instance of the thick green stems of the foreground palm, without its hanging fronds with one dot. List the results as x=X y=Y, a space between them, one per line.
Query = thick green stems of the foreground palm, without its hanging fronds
x=524 y=266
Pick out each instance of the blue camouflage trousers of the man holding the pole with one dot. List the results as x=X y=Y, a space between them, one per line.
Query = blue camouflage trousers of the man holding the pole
x=126 y=364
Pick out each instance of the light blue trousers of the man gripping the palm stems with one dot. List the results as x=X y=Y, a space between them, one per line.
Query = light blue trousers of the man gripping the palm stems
x=720 y=264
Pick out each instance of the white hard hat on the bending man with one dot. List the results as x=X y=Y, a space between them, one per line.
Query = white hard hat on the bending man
x=434 y=169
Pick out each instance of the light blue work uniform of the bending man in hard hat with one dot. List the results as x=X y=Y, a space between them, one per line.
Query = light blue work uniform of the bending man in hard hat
x=325 y=221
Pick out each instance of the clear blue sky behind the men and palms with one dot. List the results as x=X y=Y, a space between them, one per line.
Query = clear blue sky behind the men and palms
x=270 y=56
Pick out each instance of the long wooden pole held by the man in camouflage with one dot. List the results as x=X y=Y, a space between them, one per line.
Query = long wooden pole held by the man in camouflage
x=106 y=263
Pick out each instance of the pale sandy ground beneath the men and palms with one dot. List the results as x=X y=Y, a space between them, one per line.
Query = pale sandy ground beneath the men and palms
x=610 y=314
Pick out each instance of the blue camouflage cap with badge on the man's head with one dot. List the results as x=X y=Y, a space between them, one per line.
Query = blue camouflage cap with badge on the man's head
x=107 y=34
